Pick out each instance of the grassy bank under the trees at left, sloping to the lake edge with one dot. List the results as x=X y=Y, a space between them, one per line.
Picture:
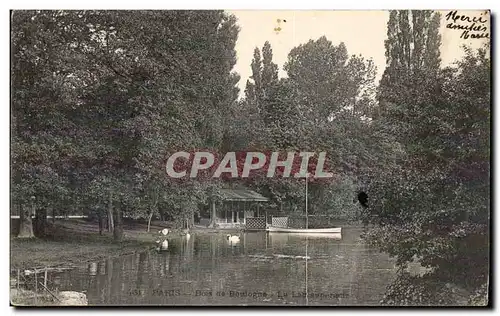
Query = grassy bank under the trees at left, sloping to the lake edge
x=75 y=242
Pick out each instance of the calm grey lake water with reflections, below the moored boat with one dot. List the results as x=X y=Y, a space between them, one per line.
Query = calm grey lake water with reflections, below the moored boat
x=262 y=269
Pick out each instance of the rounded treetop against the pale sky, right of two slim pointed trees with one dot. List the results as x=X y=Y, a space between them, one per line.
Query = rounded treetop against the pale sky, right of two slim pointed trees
x=329 y=82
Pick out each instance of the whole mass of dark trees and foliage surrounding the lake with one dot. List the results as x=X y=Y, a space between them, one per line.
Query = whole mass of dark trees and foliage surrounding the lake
x=100 y=99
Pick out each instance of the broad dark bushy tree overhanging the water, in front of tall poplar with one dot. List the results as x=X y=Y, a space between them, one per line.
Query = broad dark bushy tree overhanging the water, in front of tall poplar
x=434 y=207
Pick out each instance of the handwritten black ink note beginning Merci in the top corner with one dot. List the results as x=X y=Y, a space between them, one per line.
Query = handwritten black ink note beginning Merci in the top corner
x=474 y=25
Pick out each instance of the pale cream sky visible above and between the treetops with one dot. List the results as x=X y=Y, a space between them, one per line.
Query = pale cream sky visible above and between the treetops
x=363 y=32
